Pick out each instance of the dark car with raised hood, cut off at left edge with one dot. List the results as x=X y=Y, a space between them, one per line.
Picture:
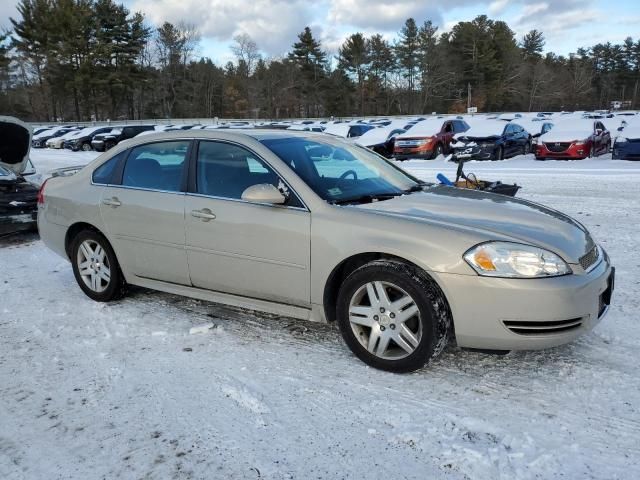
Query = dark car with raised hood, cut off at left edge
x=18 y=195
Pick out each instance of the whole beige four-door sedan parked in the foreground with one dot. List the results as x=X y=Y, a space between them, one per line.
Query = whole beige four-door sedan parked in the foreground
x=309 y=226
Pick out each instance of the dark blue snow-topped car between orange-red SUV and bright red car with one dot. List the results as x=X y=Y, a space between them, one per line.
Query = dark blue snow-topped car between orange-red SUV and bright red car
x=491 y=140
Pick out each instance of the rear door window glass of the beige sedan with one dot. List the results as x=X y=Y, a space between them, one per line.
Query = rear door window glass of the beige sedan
x=157 y=166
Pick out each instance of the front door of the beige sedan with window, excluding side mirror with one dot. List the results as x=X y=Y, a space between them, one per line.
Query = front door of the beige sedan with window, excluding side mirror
x=243 y=248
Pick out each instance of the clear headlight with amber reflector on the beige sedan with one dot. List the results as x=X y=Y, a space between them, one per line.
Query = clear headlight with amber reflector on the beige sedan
x=514 y=260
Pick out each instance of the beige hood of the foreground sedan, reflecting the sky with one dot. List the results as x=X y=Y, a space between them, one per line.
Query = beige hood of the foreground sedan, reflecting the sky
x=494 y=217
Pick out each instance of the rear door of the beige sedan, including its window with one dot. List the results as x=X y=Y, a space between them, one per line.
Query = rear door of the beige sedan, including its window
x=143 y=209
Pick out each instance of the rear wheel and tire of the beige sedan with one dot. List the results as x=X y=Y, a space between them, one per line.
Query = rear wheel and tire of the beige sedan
x=96 y=267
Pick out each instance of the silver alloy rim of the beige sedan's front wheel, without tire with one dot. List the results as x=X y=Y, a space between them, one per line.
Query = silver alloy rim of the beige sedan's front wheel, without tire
x=385 y=320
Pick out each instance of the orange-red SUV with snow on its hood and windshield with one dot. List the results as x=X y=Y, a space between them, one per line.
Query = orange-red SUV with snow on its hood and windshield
x=428 y=139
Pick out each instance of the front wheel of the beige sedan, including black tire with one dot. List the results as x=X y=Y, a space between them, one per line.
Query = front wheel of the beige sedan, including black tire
x=392 y=316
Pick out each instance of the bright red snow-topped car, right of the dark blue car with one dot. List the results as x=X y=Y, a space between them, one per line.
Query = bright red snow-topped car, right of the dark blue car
x=574 y=139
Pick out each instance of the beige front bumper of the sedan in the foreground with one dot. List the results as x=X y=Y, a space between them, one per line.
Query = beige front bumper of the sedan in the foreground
x=527 y=314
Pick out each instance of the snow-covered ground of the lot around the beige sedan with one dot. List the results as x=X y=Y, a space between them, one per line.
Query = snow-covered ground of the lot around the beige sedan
x=123 y=390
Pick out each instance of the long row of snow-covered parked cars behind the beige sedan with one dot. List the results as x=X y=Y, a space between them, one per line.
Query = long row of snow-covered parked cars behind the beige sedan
x=549 y=135
